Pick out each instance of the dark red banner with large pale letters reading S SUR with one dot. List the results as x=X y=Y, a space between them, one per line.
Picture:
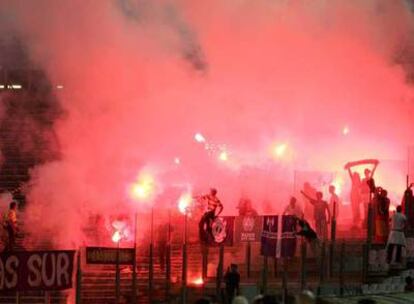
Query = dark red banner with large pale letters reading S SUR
x=36 y=270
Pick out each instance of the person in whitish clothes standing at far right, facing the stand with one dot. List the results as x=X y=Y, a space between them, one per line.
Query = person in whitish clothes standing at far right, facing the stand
x=396 y=238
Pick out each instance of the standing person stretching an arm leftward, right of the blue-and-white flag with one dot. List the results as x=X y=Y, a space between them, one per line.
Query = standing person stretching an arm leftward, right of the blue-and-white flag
x=320 y=208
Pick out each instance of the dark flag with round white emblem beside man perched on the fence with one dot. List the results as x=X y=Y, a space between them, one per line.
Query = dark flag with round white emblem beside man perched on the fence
x=222 y=231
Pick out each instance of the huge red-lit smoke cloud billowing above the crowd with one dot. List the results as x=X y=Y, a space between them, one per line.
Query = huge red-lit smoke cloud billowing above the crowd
x=140 y=78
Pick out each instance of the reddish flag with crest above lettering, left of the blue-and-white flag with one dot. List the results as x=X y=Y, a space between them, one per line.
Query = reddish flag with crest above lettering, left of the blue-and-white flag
x=248 y=228
